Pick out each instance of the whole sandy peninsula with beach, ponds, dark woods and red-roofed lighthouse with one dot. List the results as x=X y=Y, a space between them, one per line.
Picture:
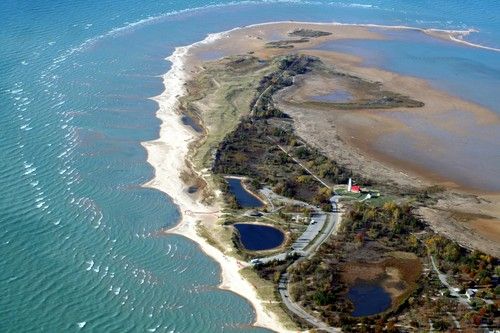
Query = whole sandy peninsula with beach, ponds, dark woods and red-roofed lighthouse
x=268 y=147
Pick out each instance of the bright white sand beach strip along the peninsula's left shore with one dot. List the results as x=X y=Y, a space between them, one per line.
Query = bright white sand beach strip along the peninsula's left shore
x=167 y=155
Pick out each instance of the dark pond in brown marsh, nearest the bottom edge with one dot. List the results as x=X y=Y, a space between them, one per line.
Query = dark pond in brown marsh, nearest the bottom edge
x=368 y=299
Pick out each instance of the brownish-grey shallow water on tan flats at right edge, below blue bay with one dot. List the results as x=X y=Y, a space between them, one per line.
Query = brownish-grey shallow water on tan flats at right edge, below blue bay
x=469 y=156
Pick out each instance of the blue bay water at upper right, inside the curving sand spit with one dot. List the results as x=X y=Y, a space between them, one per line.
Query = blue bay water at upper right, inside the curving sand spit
x=463 y=71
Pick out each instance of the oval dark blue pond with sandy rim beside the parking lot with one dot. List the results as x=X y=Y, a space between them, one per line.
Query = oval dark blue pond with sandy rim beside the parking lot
x=256 y=237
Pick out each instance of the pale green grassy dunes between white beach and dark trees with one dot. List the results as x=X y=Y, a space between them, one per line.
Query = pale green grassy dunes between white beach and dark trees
x=219 y=97
